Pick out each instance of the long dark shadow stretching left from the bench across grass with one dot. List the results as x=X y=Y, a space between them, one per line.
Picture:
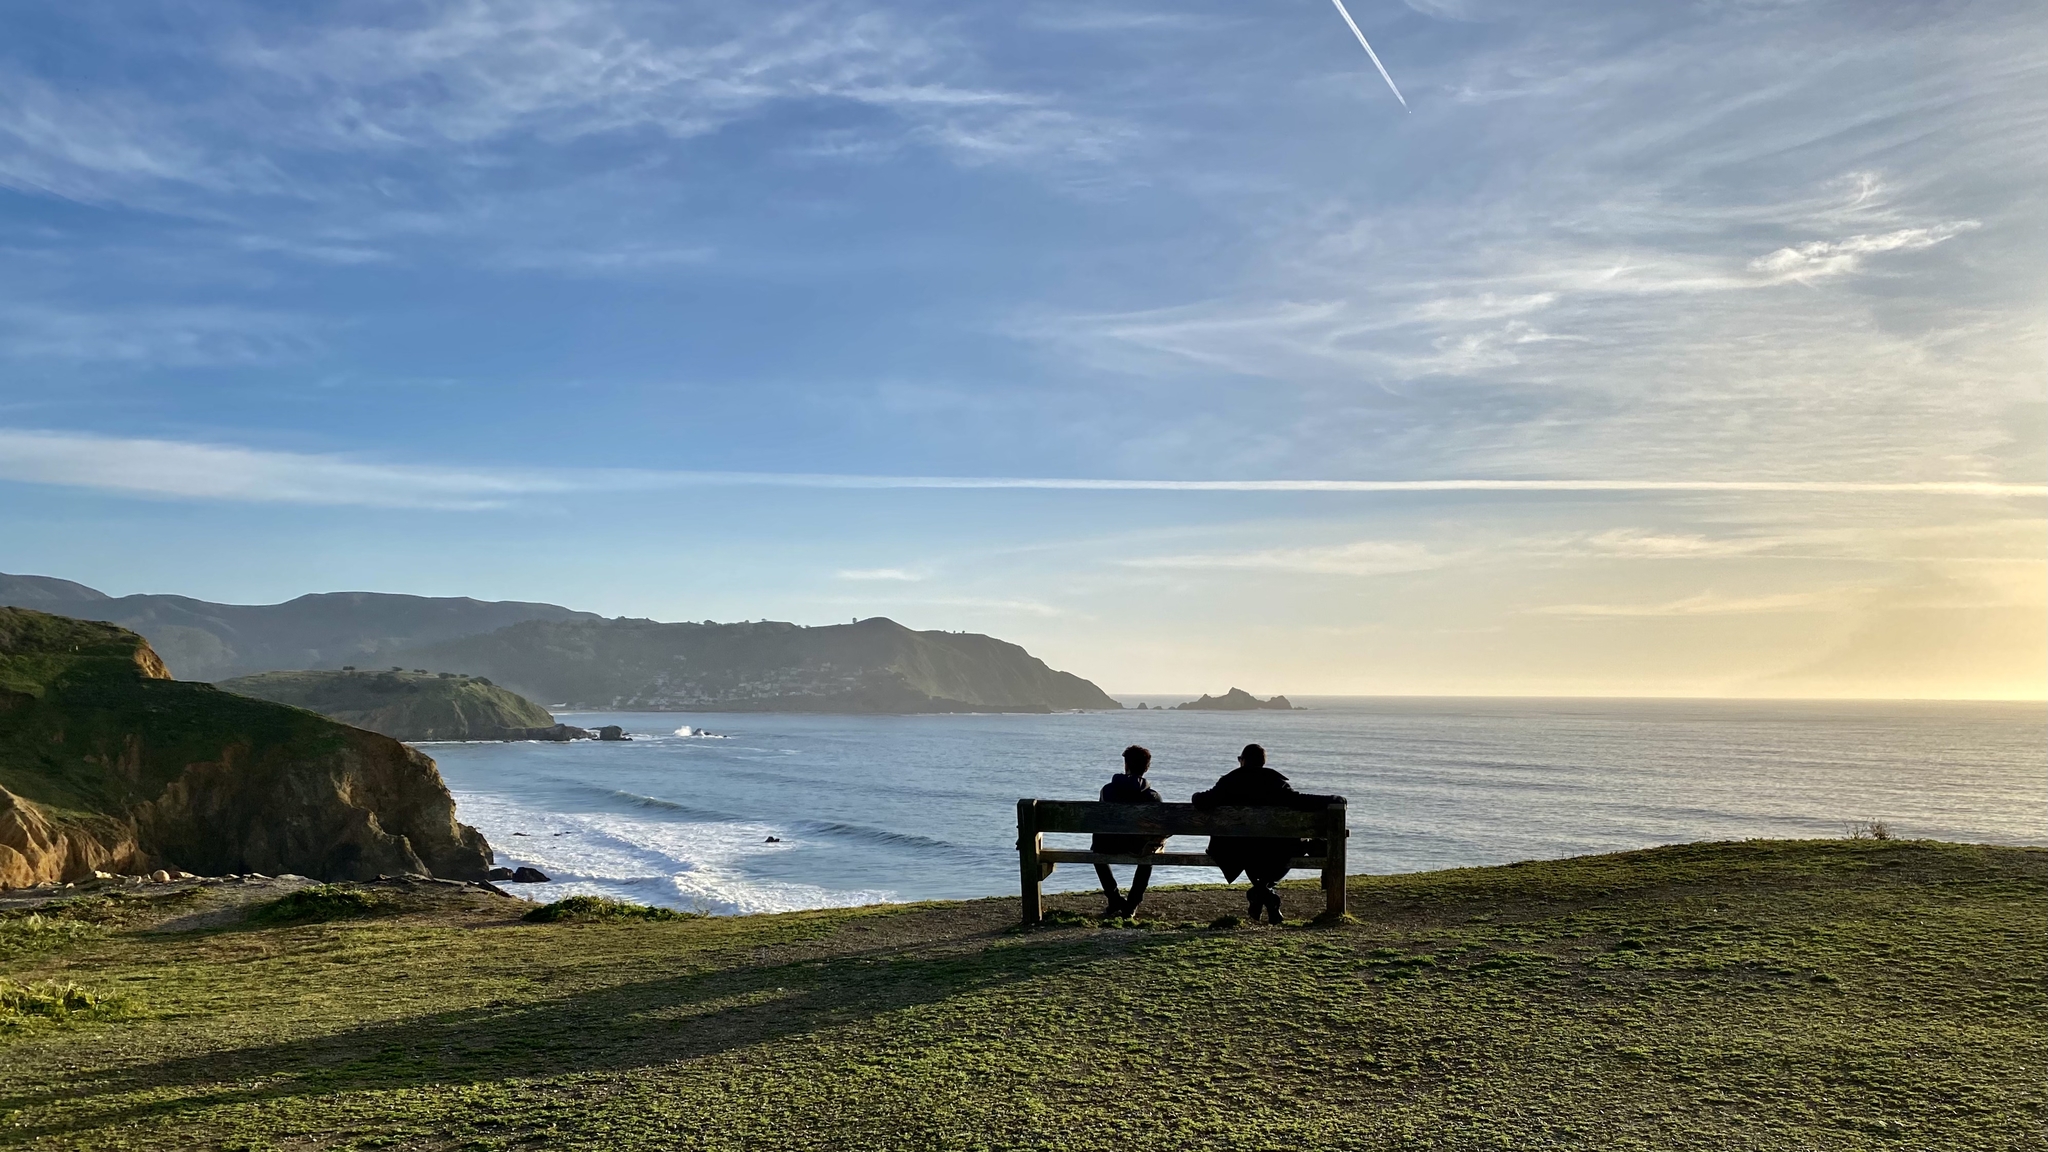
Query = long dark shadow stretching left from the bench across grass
x=605 y=1030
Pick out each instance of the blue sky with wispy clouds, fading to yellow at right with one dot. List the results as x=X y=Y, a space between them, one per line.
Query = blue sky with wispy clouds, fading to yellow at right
x=1156 y=337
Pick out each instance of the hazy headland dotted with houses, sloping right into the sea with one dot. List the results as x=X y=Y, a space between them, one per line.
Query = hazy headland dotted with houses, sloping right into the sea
x=876 y=665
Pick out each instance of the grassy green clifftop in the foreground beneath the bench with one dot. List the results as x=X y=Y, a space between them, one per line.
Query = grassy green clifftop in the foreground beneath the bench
x=1723 y=997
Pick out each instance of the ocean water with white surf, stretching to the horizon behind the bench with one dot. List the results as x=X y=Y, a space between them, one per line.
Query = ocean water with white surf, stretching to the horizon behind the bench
x=869 y=809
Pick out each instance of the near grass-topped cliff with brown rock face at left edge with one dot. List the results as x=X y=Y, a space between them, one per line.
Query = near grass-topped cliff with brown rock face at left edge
x=105 y=762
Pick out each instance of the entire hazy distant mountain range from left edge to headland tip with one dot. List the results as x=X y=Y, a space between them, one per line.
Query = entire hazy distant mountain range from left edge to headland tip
x=574 y=659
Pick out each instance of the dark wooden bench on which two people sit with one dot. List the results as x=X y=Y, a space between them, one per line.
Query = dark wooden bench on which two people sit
x=1039 y=817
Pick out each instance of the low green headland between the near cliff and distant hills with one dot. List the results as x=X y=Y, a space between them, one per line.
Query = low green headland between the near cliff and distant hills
x=404 y=706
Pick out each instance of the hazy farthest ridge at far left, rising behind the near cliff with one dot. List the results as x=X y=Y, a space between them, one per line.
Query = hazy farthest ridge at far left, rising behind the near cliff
x=210 y=643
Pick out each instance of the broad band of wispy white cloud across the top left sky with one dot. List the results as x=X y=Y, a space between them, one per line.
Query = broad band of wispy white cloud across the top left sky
x=441 y=87
